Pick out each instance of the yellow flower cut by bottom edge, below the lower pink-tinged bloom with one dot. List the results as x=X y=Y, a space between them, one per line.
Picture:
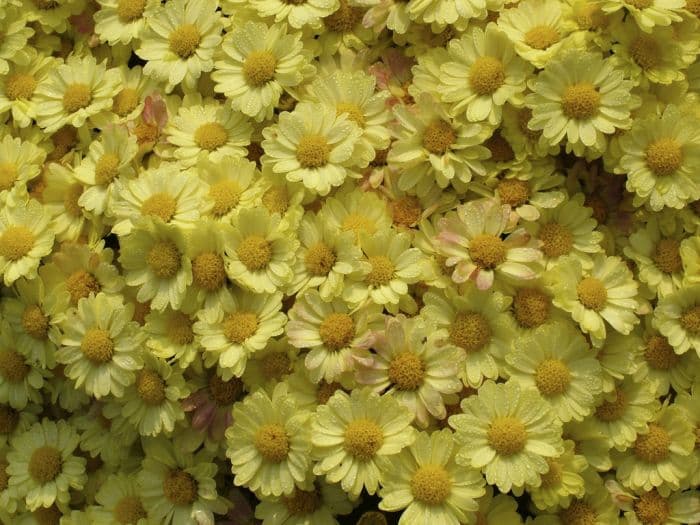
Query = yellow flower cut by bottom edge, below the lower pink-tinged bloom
x=425 y=481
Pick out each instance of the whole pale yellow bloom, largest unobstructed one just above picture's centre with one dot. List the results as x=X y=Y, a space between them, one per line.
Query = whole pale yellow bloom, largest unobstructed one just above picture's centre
x=314 y=146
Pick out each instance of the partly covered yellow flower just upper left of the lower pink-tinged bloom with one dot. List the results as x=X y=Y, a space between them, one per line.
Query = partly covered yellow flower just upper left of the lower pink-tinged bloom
x=331 y=331
